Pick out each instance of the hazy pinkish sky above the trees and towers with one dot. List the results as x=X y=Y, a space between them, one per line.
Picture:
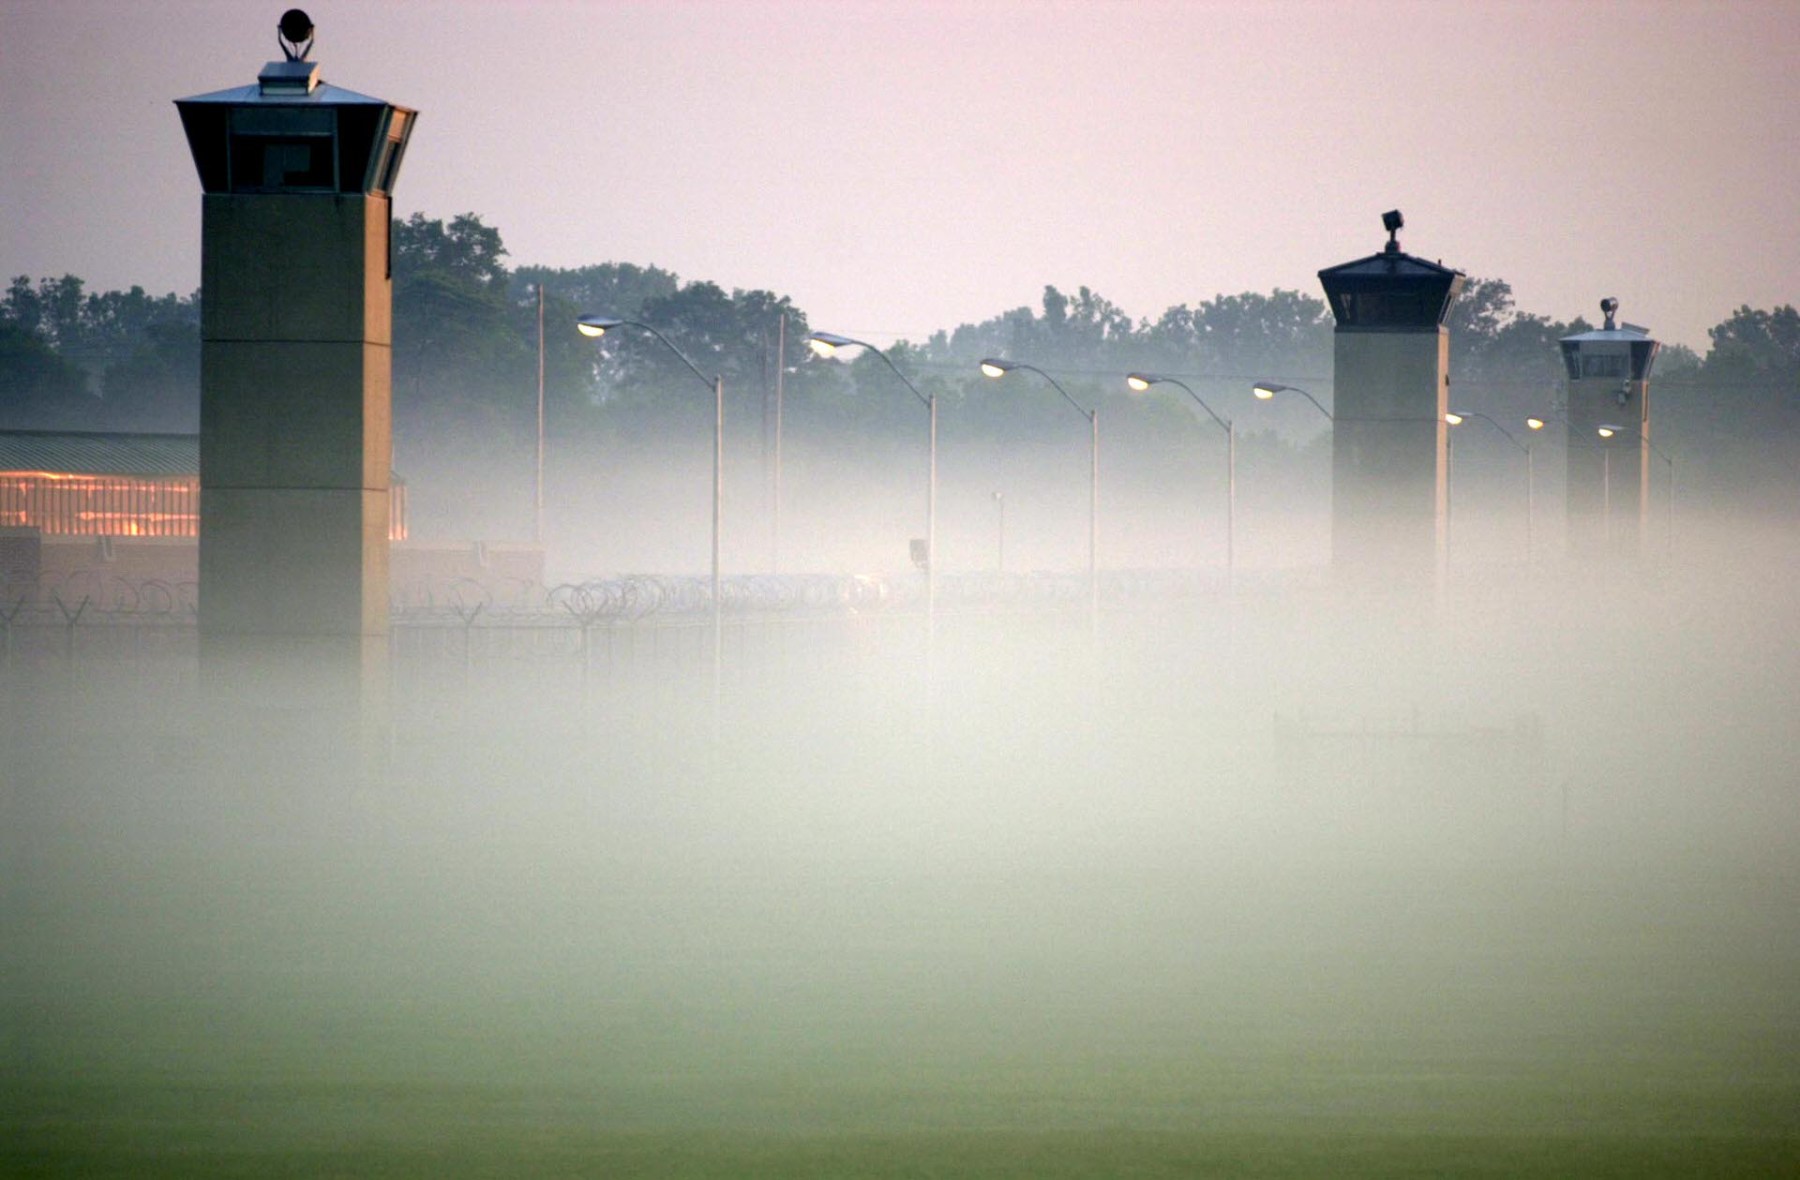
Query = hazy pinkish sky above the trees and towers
x=901 y=168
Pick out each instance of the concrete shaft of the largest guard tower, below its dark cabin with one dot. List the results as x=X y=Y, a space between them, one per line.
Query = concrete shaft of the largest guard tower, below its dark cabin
x=294 y=415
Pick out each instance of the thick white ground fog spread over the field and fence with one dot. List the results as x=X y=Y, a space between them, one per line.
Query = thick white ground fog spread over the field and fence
x=1308 y=877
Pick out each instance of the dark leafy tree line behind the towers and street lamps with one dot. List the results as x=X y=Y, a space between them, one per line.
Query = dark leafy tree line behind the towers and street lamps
x=467 y=353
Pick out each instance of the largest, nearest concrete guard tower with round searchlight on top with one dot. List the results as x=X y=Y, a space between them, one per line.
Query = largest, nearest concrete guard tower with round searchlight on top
x=296 y=361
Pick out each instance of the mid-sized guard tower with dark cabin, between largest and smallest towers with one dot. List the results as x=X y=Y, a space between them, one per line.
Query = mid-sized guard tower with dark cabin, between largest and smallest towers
x=1390 y=379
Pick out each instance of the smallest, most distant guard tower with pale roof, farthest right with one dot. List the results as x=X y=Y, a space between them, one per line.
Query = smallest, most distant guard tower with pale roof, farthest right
x=1610 y=476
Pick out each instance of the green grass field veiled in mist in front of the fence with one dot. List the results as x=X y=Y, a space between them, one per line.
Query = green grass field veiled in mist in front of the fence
x=559 y=936
